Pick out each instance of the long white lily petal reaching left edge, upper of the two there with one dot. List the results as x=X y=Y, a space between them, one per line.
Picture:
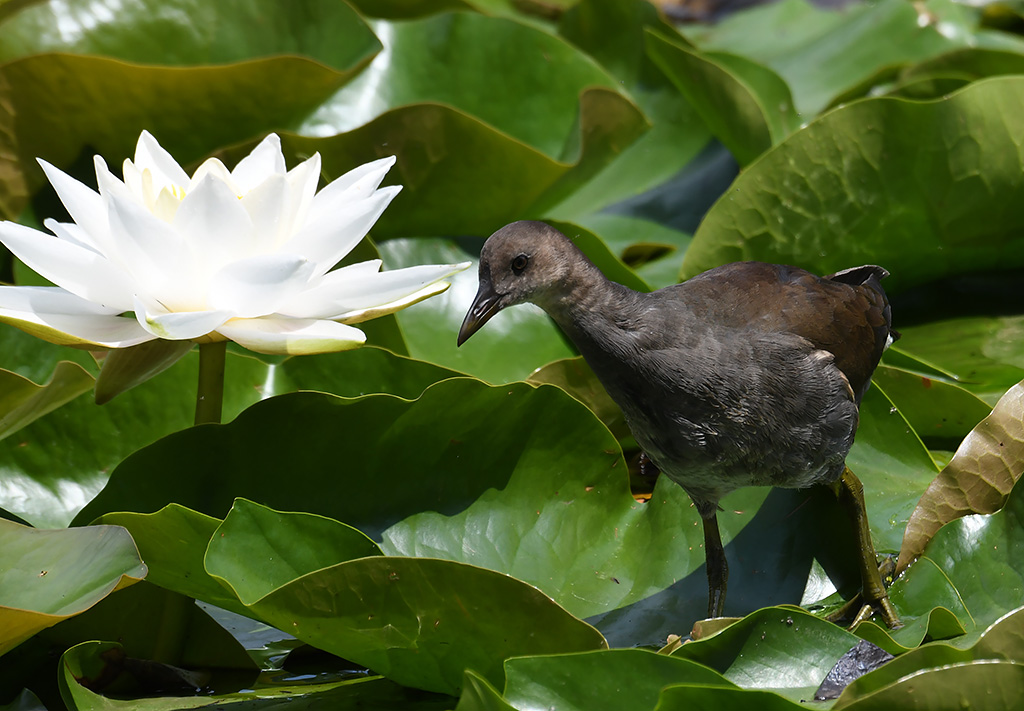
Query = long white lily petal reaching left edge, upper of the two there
x=79 y=270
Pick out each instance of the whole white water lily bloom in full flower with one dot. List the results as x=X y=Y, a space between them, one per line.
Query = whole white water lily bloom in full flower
x=243 y=256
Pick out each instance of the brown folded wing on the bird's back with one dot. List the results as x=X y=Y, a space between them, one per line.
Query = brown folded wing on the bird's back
x=846 y=314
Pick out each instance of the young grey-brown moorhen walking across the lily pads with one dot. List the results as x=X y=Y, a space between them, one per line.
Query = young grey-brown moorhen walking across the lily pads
x=748 y=374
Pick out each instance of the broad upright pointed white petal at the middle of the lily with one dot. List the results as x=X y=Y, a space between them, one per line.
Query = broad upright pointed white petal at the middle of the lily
x=216 y=226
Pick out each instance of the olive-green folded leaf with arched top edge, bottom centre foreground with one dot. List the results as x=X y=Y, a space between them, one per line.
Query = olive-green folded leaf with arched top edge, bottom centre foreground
x=421 y=622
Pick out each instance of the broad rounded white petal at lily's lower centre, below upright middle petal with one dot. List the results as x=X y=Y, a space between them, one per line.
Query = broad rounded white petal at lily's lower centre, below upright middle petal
x=258 y=286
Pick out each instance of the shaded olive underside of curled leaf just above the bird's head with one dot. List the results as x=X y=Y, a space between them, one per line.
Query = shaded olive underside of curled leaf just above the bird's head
x=448 y=190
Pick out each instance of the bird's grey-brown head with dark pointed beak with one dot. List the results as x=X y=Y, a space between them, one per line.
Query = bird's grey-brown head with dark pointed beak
x=523 y=262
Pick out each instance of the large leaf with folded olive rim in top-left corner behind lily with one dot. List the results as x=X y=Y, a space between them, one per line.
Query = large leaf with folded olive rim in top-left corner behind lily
x=63 y=105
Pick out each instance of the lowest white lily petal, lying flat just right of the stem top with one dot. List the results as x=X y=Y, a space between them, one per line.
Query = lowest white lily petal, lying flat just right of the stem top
x=292 y=337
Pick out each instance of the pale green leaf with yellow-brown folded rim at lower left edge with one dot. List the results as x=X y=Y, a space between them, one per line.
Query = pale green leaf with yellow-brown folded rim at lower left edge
x=50 y=576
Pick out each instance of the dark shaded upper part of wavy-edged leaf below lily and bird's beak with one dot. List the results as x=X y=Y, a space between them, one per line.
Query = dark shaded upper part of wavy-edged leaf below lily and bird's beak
x=440 y=452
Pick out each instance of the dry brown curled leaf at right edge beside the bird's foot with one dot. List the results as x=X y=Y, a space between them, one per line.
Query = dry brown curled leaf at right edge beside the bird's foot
x=978 y=480
